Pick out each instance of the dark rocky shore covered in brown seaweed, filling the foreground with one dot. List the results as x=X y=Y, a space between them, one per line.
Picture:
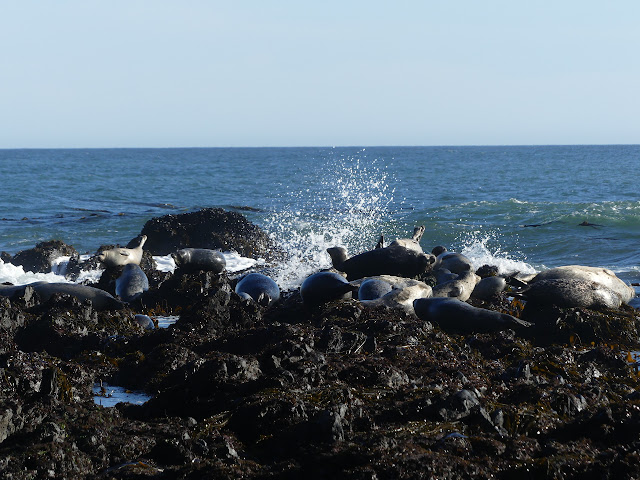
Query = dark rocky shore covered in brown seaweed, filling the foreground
x=288 y=391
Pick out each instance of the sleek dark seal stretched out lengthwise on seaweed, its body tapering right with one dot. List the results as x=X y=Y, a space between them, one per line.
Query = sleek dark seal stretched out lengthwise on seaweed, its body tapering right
x=453 y=315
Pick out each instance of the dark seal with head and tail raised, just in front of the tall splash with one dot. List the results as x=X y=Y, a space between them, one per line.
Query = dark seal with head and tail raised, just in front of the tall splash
x=402 y=257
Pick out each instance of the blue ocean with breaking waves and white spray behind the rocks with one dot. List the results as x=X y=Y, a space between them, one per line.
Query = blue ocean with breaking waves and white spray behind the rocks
x=522 y=208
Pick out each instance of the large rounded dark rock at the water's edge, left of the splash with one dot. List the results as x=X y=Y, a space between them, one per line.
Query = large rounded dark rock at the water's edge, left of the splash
x=212 y=228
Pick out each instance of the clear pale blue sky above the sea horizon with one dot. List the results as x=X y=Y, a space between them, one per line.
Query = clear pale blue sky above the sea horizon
x=196 y=73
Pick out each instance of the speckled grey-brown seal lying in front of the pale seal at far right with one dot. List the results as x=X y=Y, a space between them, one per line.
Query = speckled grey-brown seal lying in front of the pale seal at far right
x=570 y=293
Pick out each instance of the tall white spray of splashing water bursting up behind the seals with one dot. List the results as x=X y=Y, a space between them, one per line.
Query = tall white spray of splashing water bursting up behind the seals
x=349 y=206
